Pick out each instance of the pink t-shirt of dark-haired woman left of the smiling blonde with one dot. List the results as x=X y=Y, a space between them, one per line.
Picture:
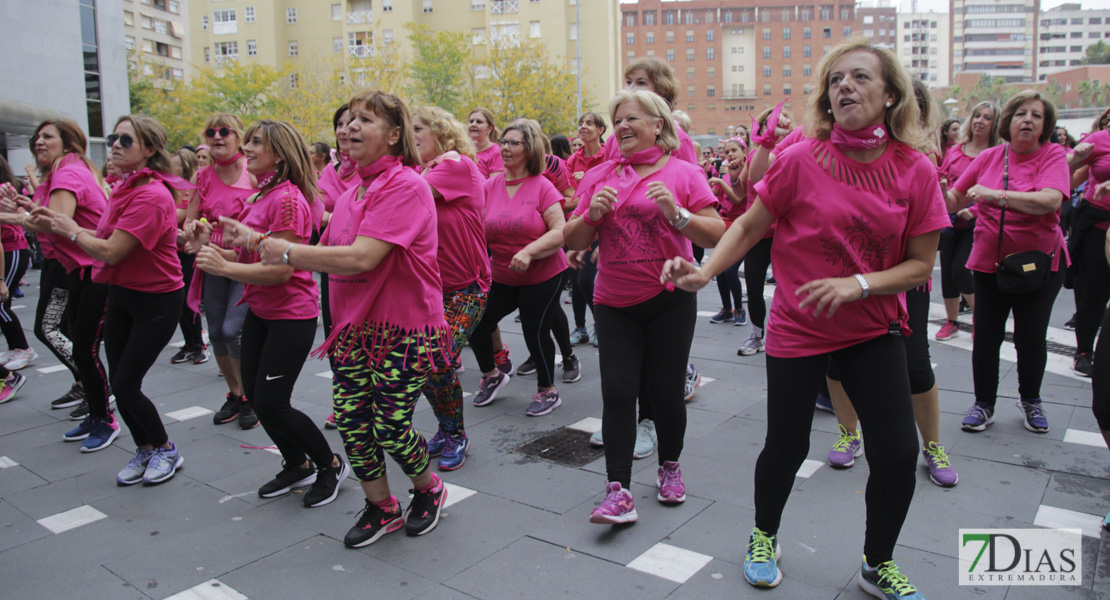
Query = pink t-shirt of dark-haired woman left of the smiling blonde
x=512 y=223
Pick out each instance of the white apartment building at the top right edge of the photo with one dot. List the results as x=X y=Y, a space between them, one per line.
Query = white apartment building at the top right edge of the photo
x=1064 y=35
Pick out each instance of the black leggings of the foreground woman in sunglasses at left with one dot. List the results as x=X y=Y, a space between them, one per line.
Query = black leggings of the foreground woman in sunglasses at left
x=138 y=326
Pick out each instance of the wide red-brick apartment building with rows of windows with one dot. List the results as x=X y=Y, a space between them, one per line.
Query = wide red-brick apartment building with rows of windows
x=734 y=59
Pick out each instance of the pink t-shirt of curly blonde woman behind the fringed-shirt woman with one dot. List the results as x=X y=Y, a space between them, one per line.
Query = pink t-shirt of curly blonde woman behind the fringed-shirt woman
x=460 y=209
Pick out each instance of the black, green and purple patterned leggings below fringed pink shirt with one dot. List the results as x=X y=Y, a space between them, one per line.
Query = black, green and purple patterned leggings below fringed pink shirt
x=375 y=408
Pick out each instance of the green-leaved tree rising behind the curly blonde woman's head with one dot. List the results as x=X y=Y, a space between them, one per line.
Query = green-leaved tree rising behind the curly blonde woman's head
x=438 y=73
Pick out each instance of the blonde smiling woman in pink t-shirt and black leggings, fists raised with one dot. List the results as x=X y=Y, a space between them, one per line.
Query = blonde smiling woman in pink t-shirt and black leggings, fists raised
x=645 y=208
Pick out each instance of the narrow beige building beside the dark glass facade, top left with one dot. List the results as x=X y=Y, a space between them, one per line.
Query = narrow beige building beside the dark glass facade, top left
x=156 y=34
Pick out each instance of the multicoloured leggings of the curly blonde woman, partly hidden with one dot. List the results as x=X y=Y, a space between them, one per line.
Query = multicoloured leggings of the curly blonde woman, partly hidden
x=463 y=311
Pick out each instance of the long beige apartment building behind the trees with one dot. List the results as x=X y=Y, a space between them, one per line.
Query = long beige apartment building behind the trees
x=280 y=30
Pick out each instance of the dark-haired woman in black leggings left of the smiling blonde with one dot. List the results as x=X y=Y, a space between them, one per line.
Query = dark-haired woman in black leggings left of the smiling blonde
x=524 y=230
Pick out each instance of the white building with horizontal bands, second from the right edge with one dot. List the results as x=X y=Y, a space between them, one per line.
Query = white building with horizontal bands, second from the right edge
x=996 y=38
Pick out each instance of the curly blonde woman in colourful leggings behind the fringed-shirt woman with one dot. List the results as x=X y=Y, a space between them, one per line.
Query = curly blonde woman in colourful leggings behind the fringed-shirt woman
x=458 y=188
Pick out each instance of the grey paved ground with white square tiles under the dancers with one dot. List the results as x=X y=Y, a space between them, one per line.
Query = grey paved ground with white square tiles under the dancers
x=517 y=526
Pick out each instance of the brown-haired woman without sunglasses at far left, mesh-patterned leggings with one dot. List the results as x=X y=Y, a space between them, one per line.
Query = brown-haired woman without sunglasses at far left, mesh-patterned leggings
x=69 y=300
